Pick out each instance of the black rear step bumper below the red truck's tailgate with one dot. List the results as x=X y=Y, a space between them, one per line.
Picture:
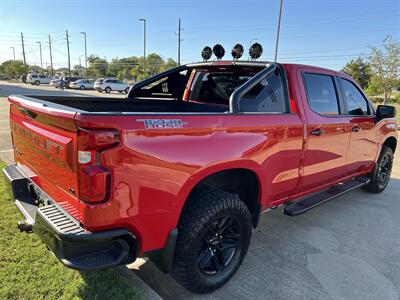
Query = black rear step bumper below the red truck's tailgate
x=74 y=246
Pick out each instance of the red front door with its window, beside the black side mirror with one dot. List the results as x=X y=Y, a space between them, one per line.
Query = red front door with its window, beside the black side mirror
x=364 y=142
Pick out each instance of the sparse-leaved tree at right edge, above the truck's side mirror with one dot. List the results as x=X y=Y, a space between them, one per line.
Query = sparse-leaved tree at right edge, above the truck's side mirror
x=385 y=66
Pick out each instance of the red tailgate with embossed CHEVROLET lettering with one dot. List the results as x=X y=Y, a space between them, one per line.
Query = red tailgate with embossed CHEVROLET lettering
x=45 y=143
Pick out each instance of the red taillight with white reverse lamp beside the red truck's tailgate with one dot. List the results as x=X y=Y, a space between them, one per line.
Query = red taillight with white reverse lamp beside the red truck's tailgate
x=94 y=178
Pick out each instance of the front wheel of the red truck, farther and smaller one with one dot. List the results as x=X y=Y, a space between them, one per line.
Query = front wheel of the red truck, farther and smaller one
x=380 y=175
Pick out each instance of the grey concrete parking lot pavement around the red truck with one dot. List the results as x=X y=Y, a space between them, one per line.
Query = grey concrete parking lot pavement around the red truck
x=348 y=248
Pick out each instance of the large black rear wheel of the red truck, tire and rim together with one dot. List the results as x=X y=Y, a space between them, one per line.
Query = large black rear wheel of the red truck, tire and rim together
x=214 y=235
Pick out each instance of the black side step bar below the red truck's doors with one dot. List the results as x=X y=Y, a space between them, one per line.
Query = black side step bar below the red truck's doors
x=304 y=205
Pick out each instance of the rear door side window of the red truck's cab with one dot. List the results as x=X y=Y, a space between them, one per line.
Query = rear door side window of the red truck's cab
x=321 y=93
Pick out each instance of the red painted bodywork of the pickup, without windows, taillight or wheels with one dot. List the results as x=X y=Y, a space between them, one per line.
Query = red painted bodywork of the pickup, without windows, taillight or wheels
x=154 y=170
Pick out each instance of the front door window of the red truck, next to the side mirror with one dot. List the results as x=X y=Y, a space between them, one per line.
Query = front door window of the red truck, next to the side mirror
x=356 y=103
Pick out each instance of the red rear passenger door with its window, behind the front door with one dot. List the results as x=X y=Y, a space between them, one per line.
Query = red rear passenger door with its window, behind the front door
x=328 y=131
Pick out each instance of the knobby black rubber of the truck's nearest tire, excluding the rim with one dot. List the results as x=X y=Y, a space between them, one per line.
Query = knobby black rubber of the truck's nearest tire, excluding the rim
x=205 y=208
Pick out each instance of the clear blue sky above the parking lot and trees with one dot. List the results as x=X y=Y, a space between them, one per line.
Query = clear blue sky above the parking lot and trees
x=326 y=33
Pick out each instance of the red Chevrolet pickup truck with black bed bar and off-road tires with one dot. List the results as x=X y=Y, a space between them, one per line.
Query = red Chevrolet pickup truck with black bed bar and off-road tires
x=182 y=168
